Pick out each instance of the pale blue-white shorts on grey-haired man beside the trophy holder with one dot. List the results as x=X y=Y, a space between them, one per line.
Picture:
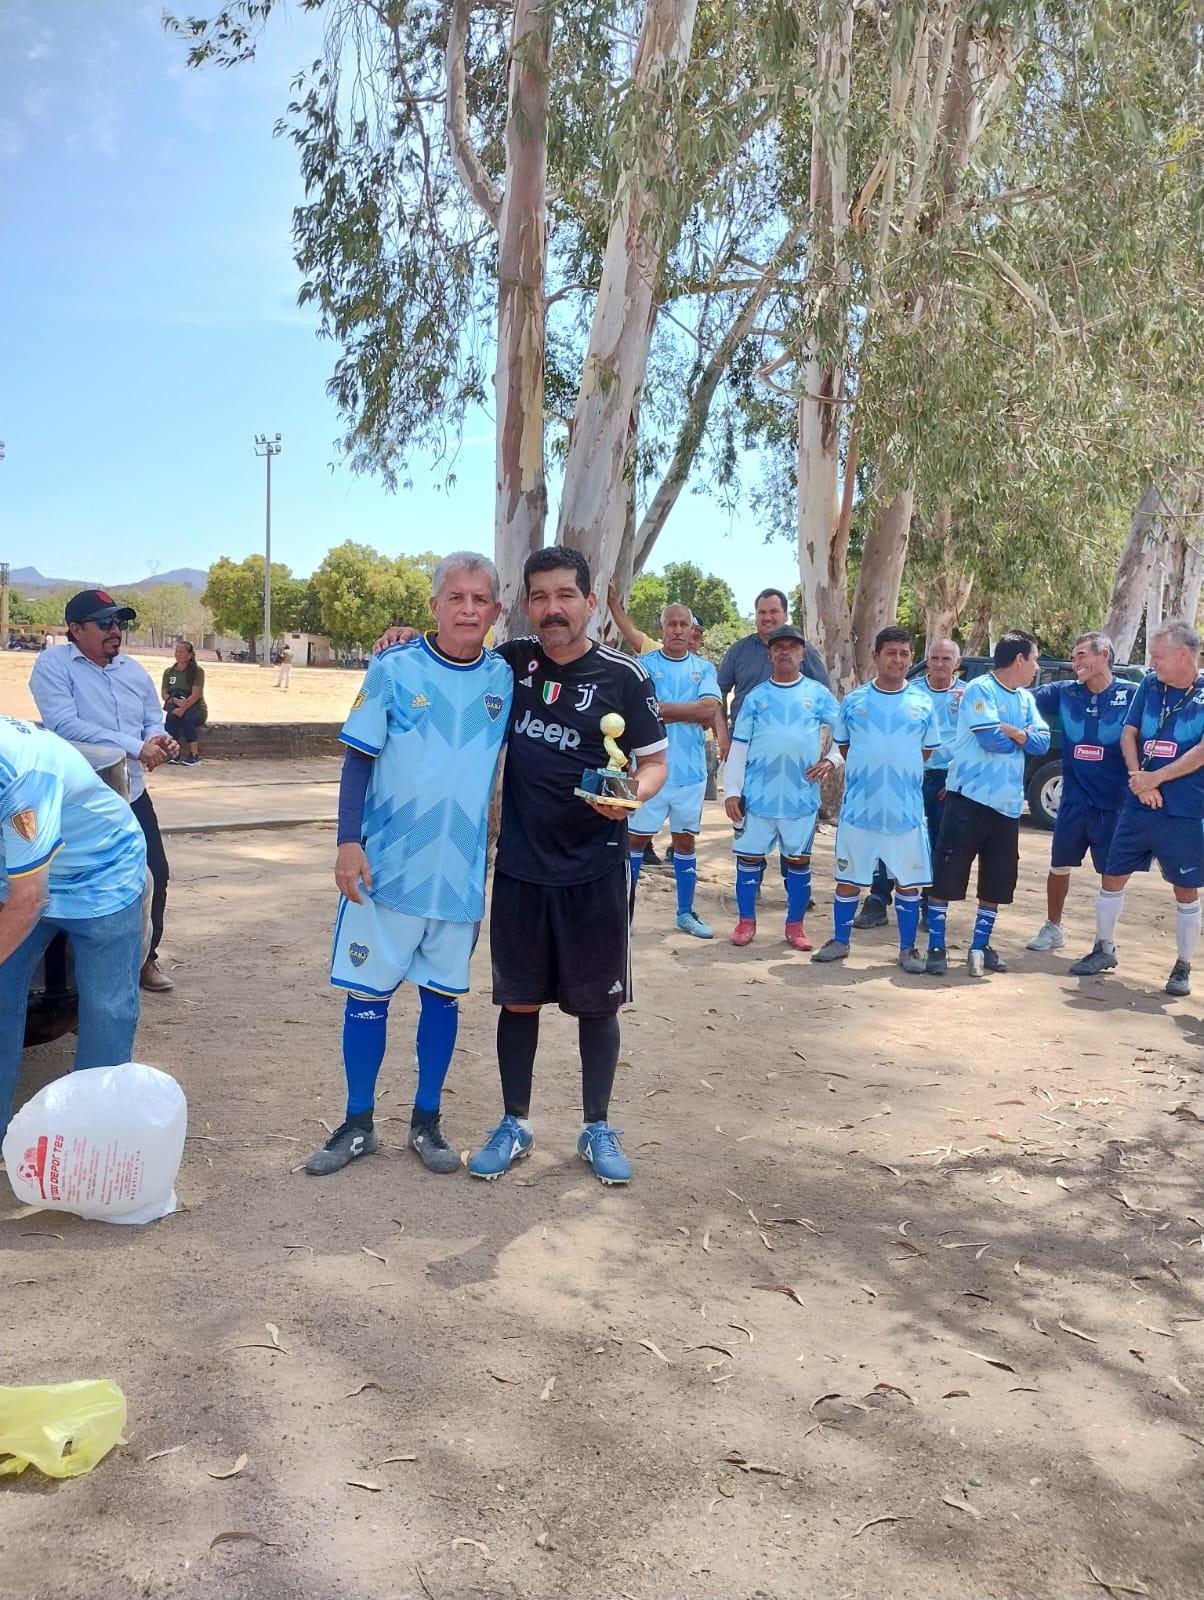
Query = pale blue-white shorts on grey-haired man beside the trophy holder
x=377 y=950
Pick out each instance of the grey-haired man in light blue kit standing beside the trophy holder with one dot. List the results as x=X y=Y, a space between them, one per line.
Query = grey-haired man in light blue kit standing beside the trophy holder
x=423 y=740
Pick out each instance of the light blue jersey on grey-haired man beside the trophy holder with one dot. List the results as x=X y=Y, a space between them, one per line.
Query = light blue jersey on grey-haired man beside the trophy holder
x=436 y=729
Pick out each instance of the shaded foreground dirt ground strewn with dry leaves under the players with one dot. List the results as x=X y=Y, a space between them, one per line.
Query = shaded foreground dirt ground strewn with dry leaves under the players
x=985 y=1198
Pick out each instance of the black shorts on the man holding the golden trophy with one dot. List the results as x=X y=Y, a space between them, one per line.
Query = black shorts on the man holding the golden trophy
x=563 y=945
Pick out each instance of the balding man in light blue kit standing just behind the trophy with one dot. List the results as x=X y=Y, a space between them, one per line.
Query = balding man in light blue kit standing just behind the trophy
x=688 y=694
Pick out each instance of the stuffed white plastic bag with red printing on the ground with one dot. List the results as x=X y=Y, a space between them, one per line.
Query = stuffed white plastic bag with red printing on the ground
x=103 y=1143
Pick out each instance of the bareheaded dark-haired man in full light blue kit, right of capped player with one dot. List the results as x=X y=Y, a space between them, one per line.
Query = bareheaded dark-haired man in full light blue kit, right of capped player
x=888 y=729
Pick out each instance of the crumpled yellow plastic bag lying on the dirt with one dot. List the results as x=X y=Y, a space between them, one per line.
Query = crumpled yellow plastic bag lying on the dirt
x=63 y=1430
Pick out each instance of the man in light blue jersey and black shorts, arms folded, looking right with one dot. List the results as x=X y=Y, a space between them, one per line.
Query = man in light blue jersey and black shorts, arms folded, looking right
x=998 y=722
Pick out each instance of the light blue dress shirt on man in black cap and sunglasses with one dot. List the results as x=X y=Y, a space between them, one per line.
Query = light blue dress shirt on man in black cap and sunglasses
x=113 y=705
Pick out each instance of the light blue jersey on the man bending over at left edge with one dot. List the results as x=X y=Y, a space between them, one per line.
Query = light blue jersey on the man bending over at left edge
x=54 y=809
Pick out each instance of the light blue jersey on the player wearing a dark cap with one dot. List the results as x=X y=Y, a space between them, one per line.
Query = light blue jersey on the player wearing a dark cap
x=781 y=724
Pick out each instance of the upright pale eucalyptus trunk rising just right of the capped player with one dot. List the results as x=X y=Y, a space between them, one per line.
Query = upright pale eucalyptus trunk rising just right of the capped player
x=824 y=530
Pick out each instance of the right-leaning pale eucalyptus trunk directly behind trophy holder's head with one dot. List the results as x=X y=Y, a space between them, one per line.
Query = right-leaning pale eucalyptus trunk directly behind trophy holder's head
x=593 y=502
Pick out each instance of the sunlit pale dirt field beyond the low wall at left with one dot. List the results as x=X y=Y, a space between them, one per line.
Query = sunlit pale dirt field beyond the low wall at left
x=233 y=692
